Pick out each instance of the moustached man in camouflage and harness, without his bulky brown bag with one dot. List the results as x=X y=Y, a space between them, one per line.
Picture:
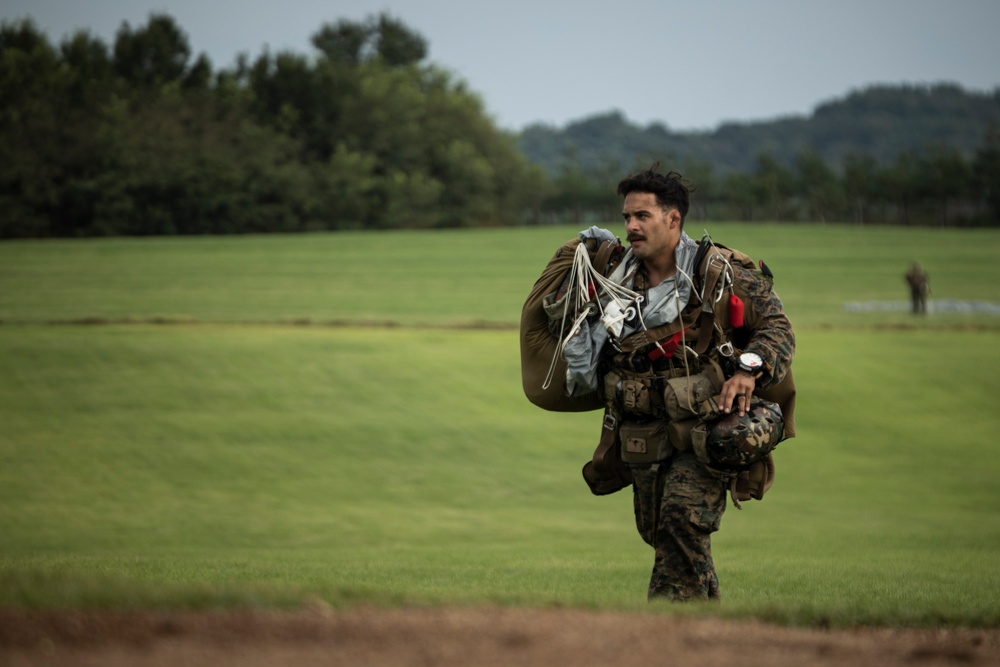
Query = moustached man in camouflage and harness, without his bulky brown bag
x=689 y=349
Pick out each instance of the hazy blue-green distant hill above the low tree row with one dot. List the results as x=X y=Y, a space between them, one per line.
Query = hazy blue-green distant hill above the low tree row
x=881 y=121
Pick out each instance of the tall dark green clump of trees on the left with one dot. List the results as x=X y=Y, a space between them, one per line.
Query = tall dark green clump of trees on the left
x=141 y=137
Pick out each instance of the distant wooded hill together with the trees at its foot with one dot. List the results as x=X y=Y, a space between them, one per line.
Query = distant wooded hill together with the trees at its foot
x=925 y=155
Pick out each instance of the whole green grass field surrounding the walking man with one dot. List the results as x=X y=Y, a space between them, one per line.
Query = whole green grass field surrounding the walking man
x=215 y=442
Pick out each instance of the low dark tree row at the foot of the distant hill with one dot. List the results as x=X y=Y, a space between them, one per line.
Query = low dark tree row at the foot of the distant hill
x=937 y=187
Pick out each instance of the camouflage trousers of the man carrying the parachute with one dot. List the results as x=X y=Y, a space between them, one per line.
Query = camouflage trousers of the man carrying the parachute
x=678 y=505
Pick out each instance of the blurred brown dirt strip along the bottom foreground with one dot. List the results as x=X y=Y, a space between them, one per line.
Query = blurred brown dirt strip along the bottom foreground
x=466 y=637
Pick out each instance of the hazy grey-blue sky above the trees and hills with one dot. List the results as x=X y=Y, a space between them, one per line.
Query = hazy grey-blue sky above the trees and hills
x=687 y=64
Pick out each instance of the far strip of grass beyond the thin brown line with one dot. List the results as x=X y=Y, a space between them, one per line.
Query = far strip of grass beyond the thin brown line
x=455 y=277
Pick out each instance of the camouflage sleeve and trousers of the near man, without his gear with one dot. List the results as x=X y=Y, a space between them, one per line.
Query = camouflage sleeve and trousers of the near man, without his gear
x=678 y=502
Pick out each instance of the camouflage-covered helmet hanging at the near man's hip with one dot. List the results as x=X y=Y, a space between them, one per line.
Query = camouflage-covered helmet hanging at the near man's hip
x=735 y=443
